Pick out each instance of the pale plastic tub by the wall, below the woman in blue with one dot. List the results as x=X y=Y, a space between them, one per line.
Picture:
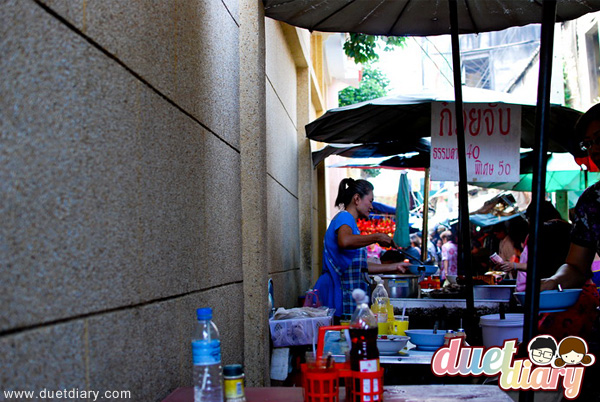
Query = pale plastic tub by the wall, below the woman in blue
x=297 y=331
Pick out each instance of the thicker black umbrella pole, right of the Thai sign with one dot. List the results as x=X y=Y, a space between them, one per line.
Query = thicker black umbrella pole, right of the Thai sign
x=532 y=291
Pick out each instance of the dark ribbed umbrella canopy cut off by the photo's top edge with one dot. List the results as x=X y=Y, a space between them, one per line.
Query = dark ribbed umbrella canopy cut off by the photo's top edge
x=417 y=17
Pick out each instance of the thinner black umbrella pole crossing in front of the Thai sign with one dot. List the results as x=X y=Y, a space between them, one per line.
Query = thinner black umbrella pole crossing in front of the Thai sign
x=464 y=229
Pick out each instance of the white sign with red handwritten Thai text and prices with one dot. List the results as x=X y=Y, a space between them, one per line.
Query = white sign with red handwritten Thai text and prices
x=492 y=137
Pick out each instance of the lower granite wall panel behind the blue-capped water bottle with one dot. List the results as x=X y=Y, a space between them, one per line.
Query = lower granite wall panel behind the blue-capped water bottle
x=152 y=363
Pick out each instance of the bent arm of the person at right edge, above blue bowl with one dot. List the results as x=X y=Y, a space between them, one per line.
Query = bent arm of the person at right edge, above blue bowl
x=574 y=272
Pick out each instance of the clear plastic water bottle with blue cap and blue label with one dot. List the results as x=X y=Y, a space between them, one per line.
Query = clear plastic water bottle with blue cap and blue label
x=206 y=353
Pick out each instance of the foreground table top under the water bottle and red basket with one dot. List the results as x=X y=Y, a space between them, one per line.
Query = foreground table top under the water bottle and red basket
x=412 y=393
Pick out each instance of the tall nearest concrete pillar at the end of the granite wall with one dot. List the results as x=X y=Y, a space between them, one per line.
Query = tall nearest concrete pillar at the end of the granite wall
x=253 y=191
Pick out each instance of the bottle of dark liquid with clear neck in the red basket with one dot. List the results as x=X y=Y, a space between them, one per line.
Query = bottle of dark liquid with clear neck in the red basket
x=364 y=354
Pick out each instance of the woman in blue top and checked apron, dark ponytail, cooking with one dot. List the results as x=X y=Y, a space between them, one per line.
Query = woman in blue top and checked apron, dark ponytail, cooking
x=345 y=265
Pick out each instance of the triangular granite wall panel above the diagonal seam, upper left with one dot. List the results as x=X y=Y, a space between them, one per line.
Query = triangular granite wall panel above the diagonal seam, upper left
x=173 y=46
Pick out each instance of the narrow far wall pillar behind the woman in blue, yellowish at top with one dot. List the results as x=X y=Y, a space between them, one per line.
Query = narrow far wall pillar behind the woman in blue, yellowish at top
x=304 y=178
